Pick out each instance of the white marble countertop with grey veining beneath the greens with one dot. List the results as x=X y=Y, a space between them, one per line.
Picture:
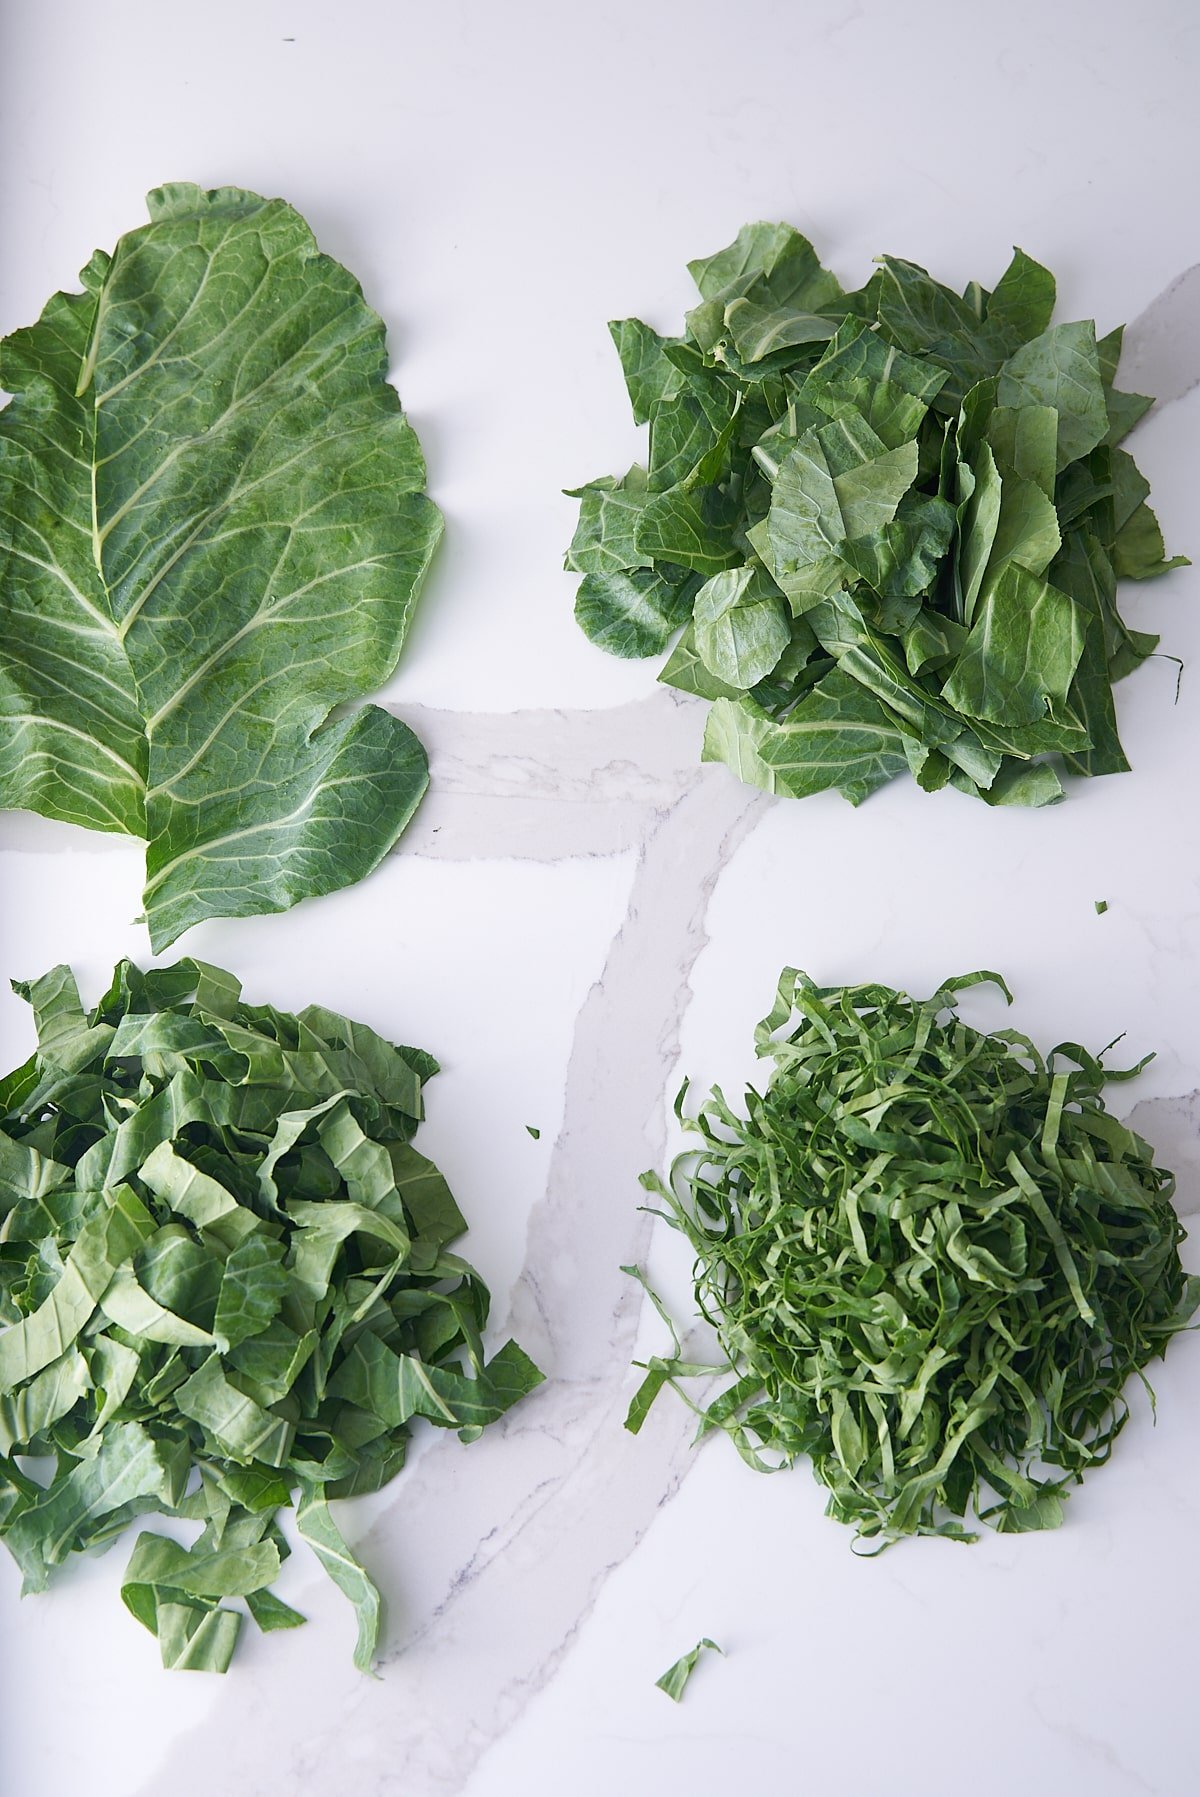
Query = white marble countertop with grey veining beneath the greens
x=581 y=912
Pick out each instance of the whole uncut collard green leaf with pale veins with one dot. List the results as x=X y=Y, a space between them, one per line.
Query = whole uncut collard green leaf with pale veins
x=213 y=535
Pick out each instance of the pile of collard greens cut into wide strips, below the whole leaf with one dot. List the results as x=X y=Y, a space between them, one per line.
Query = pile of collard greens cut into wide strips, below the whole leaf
x=225 y=1284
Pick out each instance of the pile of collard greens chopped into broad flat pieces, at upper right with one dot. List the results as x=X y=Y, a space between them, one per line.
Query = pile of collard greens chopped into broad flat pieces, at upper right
x=890 y=522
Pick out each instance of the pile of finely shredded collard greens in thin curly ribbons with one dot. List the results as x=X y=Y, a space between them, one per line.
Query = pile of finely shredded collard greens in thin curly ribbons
x=931 y=1257
